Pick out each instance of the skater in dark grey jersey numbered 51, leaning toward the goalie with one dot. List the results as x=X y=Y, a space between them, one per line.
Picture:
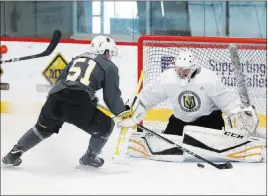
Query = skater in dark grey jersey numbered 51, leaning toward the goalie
x=72 y=100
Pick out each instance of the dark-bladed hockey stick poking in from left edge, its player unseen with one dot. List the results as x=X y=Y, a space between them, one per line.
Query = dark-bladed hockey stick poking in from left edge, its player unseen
x=53 y=44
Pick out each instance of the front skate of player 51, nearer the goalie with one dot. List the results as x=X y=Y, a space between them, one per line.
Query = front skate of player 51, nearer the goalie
x=90 y=159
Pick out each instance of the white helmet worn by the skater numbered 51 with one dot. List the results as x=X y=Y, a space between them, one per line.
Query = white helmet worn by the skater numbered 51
x=100 y=44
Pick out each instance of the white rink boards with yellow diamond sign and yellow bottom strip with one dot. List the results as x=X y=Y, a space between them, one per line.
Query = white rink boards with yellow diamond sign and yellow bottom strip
x=29 y=81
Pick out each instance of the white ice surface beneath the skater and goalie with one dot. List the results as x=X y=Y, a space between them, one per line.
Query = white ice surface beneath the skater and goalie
x=50 y=168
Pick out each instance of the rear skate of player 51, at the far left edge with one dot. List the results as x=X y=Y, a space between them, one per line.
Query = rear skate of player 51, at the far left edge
x=13 y=157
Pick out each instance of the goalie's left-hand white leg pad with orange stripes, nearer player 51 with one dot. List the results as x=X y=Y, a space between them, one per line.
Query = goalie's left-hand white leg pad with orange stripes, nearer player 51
x=146 y=145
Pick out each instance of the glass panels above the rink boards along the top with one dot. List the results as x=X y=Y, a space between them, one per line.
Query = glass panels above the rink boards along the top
x=127 y=20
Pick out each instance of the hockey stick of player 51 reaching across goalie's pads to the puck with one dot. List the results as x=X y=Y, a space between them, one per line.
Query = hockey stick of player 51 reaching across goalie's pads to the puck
x=226 y=165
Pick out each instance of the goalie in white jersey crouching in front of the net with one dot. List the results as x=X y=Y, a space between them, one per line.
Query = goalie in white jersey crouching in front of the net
x=199 y=98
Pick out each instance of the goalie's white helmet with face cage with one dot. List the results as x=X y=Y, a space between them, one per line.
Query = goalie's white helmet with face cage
x=185 y=66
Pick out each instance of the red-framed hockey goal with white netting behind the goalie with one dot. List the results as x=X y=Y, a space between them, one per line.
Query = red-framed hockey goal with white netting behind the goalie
x=156 y=52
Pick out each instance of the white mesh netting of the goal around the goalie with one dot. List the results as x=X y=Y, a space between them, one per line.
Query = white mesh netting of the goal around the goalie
x=157 y=55
